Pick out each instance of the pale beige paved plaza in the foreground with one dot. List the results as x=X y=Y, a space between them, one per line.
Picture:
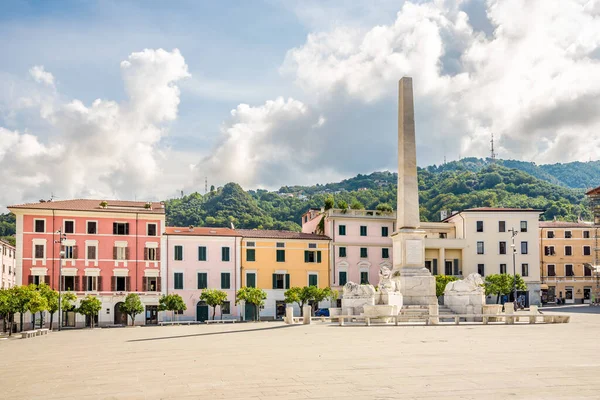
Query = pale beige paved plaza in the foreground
x=275 y=361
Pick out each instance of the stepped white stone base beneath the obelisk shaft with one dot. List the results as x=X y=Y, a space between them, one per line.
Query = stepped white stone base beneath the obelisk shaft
x=417 y=285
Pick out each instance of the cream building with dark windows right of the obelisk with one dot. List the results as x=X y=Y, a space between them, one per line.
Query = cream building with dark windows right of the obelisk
x=488 y=245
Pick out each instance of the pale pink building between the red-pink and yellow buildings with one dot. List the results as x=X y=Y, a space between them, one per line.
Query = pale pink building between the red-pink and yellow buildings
x=202 y=258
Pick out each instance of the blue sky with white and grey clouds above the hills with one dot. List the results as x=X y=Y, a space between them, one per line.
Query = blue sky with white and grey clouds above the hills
x=141 y=100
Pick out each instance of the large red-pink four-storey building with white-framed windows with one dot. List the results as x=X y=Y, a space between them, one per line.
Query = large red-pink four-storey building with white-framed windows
x=111 y=248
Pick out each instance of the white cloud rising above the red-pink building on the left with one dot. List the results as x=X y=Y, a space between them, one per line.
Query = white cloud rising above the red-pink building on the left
x=107 y=148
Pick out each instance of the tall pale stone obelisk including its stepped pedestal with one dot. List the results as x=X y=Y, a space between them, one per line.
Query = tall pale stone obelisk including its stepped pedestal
x=416 y=282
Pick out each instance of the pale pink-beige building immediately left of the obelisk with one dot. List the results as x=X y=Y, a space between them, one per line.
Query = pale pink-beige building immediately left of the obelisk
x=360 y=241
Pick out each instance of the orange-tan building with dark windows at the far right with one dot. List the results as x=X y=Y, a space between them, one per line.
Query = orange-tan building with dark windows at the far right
x=565 y=249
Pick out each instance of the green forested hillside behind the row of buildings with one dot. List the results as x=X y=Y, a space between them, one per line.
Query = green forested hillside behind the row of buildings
x=471 y=182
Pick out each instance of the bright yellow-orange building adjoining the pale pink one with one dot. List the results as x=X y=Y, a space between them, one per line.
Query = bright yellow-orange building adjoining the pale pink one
x=278 y=260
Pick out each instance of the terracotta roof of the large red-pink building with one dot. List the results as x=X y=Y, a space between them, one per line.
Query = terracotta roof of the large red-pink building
x=123 y=206
